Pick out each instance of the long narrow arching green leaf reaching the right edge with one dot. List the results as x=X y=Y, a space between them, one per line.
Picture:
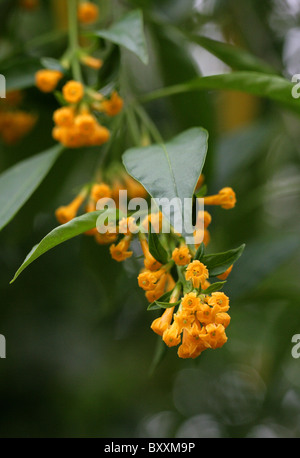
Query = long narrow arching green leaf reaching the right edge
x=272 y=87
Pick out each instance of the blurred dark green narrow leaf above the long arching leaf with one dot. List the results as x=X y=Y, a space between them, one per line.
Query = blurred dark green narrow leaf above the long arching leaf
x=235 y=57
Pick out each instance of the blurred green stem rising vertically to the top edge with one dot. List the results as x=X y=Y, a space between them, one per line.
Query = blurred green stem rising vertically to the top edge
x=74 y=40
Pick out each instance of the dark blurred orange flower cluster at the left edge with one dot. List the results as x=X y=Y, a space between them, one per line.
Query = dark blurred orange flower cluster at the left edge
x=14 y=123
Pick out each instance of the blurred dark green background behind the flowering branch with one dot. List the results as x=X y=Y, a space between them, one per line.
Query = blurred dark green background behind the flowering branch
x=79 y=344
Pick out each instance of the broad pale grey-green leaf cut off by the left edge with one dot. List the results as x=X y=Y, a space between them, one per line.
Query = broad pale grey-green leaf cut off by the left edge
x=18 y=183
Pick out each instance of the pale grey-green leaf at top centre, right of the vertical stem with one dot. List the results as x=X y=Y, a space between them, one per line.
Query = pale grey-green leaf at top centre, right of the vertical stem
x=129 y=33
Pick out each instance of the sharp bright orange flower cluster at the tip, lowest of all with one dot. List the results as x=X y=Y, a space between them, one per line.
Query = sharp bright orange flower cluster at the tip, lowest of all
x=199 y=324
